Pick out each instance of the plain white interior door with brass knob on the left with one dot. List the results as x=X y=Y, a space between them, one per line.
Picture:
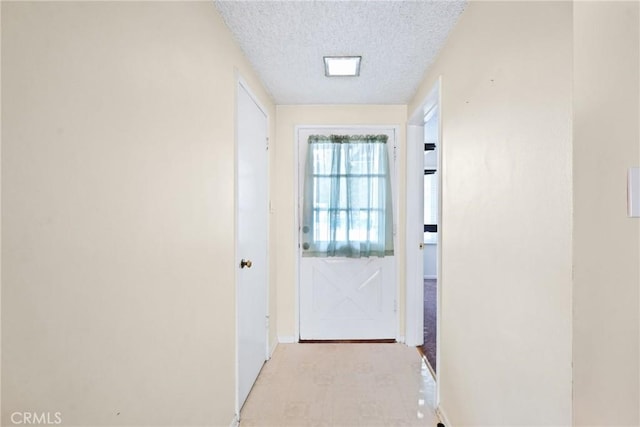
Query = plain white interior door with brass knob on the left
x=252 y=236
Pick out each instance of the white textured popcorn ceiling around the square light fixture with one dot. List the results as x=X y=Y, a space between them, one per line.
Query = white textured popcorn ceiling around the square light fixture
x=286 y=40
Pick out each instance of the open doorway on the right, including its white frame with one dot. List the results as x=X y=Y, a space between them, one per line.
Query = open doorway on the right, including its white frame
x=424 y=234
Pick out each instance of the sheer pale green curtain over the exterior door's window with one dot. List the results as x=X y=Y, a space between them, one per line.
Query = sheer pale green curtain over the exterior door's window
x=347 y=205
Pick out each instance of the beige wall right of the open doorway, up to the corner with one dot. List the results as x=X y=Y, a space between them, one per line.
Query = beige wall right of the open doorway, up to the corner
x=506 y=223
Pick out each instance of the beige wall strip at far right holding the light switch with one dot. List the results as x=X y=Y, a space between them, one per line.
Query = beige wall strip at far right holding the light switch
x=606 y=242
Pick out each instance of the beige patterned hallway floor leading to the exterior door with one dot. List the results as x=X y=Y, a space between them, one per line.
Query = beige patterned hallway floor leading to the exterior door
x=342 y=385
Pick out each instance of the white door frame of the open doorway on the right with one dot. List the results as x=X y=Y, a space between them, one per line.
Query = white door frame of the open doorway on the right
x=414 y=314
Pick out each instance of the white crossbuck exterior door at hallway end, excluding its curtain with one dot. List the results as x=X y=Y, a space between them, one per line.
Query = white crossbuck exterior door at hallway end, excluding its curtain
x=346 y=298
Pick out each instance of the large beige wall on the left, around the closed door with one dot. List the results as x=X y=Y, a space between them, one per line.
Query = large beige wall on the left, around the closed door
x=118 y=281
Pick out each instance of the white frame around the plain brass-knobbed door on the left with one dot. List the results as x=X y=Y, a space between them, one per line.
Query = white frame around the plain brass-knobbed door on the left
x=242 y=84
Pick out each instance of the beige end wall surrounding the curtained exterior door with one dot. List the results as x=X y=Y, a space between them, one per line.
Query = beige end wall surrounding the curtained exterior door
x=288 y=117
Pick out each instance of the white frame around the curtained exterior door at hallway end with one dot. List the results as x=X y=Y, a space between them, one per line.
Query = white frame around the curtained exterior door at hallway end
x=394 y=188
